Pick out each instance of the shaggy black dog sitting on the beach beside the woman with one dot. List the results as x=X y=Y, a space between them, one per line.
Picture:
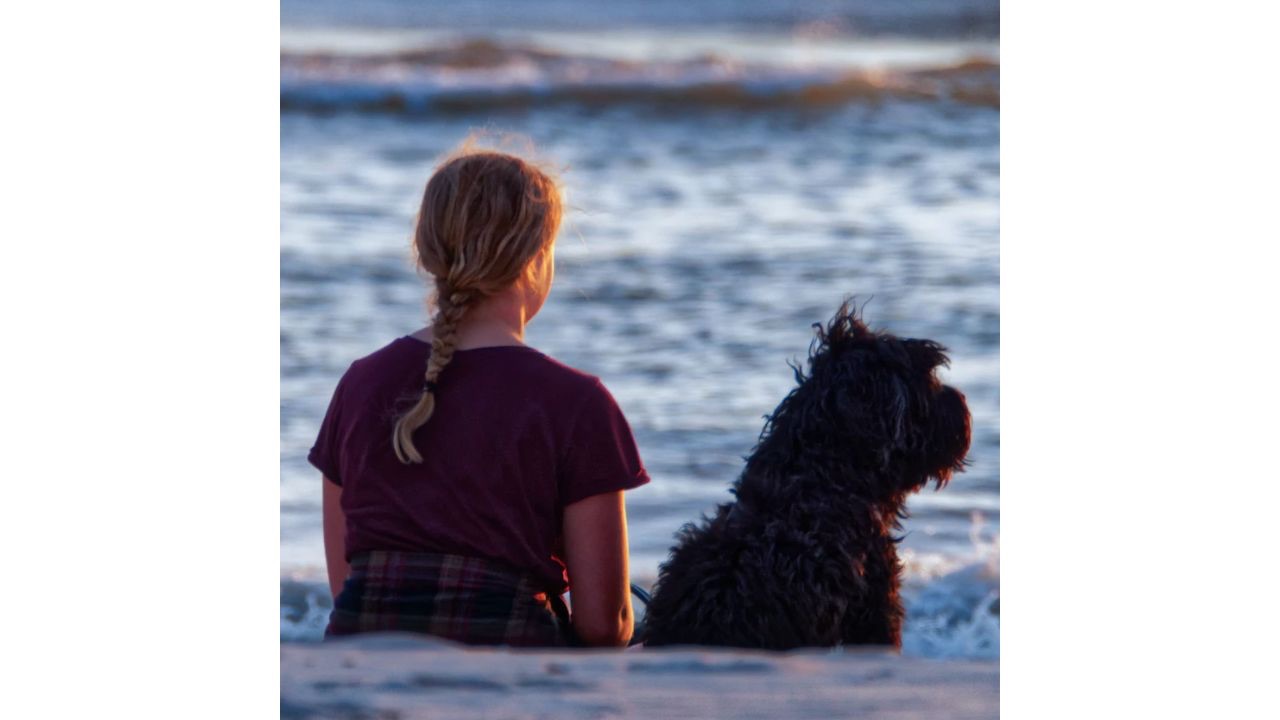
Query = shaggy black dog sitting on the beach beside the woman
x=807 y=555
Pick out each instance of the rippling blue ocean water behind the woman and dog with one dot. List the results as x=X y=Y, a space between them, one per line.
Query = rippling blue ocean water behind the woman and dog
x=734 y=171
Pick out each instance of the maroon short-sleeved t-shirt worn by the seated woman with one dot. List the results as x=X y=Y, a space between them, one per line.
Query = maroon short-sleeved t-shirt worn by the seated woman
x=515 y=438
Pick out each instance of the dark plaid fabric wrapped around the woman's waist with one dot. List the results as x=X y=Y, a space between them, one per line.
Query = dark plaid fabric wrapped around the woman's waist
x=468 y=600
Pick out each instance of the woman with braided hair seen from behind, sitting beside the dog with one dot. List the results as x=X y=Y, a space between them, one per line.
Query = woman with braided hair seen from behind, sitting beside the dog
x=468 y=477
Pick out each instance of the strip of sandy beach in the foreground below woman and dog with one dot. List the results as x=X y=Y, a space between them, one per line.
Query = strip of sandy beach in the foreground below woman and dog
x=408 y=677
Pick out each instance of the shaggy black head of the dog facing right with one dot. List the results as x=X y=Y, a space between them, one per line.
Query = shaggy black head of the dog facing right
x=874 y=403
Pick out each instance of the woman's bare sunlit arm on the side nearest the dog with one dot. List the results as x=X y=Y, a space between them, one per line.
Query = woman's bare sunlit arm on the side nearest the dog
x=596 y=554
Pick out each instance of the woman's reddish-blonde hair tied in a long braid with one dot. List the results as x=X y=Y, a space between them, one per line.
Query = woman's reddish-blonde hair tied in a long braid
x=486 y=217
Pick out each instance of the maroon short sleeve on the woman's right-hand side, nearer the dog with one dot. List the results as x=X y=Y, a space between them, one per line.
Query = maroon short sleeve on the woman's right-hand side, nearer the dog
x=601 y=455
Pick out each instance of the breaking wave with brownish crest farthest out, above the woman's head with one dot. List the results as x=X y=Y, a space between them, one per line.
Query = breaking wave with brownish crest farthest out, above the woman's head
x=486 y=75
